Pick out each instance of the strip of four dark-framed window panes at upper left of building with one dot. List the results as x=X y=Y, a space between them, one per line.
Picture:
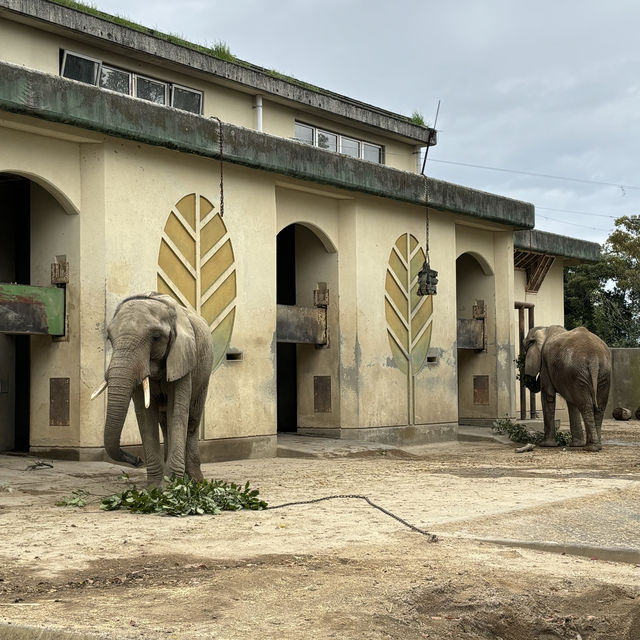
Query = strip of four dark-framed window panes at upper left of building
x=91 y=71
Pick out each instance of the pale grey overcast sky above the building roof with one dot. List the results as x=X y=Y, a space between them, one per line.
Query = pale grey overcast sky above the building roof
x=548 y=87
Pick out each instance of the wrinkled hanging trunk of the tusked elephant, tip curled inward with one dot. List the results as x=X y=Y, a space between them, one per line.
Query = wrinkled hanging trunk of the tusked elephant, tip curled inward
x=122 y=380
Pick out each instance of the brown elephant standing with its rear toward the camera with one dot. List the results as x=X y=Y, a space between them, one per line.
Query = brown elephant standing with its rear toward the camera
x=577 y=365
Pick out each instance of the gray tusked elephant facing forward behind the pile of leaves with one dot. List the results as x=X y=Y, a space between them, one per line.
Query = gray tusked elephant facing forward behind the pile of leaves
x=162 y=358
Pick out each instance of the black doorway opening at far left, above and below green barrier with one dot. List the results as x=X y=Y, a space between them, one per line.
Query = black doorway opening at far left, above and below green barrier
x=15 y=267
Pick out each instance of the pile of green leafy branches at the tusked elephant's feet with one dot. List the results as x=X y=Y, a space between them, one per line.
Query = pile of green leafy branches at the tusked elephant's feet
x=181 y=496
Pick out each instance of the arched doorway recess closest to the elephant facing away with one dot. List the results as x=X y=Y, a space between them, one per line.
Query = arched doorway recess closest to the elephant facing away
x=476 y=321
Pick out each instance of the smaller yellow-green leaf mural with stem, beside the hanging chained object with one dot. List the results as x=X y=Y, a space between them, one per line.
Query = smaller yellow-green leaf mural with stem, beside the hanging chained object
x=408 y=314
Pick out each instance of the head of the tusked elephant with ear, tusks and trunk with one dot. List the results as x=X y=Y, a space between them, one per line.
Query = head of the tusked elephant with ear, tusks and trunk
x=152 y=338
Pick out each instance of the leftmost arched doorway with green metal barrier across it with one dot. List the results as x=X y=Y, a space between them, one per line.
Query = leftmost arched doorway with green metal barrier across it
x=36 y=230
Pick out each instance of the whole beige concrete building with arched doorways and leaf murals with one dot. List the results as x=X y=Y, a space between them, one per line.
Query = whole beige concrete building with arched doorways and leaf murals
x=291 y=217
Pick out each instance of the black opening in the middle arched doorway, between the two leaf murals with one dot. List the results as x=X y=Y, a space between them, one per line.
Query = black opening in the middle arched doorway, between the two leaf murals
x=286 y=360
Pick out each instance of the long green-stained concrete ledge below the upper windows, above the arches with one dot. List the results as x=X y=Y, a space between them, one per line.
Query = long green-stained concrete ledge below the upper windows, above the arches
x=56 y=99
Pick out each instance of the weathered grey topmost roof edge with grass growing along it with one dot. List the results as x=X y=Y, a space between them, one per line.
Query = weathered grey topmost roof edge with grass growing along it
x=259 y=80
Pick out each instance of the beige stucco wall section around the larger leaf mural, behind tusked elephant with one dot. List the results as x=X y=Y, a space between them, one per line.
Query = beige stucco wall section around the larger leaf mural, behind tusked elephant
x=149 y=183
